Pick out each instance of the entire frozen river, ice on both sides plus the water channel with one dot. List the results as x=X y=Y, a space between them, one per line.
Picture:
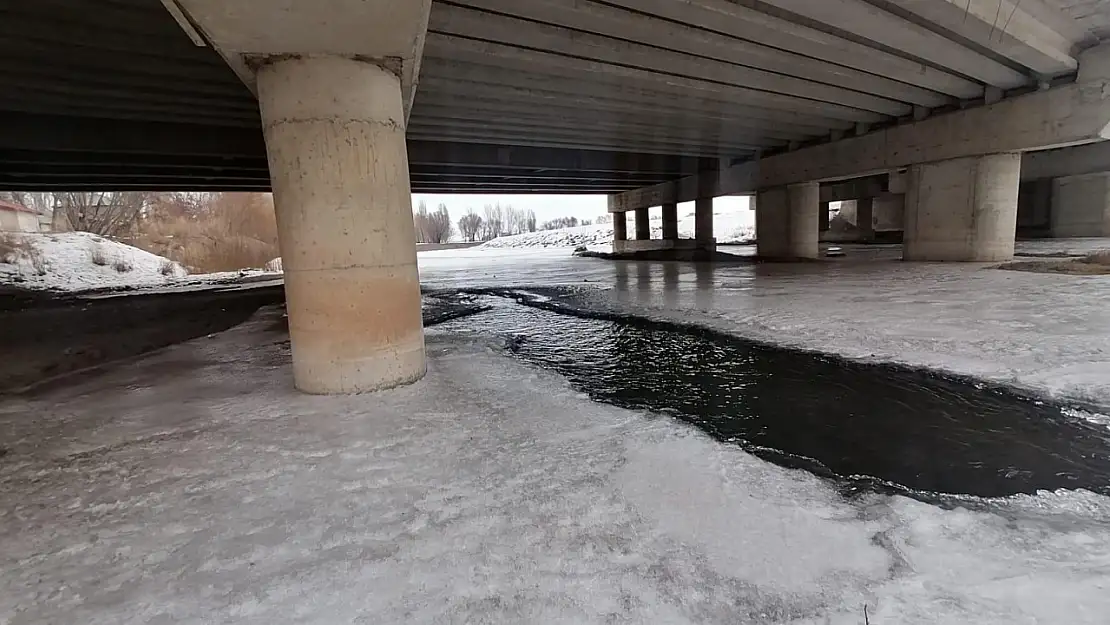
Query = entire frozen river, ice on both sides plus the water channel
x=520 y=483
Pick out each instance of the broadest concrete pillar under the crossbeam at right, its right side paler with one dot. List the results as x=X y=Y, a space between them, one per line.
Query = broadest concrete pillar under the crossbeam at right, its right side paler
x=963 y=209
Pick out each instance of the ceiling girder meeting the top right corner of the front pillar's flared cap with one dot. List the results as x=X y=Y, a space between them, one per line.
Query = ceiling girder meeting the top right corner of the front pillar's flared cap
x=449 y=19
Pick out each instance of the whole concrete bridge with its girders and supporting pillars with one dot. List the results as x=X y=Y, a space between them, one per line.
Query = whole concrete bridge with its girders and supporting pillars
x=346 y=107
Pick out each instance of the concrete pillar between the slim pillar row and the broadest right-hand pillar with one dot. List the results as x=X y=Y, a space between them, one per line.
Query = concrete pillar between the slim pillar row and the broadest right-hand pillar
x=788 y=221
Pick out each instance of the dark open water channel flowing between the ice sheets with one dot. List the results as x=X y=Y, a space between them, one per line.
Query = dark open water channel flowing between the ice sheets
x=871 y=427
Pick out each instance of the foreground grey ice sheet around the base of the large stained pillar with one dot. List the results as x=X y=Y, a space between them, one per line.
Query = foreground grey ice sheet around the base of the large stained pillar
x=195 y=486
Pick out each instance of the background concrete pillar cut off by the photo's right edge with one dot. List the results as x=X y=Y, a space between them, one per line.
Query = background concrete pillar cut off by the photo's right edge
x=1082 y=206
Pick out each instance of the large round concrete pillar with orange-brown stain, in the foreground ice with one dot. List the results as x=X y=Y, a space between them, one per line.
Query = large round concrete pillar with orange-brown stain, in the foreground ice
x=336 y=139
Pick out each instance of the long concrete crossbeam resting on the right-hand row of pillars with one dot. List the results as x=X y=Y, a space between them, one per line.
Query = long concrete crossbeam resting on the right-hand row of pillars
x=1066 y=116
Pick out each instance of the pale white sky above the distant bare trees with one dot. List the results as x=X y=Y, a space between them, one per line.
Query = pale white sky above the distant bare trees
x=549 y=207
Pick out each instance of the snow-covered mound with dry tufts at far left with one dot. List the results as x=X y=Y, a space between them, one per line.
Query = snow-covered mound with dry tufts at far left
x=75 y=261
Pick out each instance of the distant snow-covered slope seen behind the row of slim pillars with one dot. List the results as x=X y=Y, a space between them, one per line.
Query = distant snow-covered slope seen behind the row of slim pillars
x=730 y=227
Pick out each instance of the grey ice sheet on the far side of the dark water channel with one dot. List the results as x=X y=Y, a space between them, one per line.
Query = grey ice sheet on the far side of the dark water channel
x=1046 y=332
